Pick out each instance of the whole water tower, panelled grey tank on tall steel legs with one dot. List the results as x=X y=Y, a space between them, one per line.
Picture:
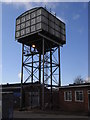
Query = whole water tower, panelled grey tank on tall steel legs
x=41 y=34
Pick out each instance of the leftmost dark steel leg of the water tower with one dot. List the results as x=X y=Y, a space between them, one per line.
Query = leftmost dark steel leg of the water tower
x=21 y=100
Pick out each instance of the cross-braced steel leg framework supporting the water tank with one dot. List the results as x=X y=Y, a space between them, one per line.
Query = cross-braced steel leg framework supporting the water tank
x=42 y=66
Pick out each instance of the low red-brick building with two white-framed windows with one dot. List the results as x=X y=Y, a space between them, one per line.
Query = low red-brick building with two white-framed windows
x=75 y=98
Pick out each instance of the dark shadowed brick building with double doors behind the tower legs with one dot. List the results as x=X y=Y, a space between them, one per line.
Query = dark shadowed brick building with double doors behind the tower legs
x=32 y=95
